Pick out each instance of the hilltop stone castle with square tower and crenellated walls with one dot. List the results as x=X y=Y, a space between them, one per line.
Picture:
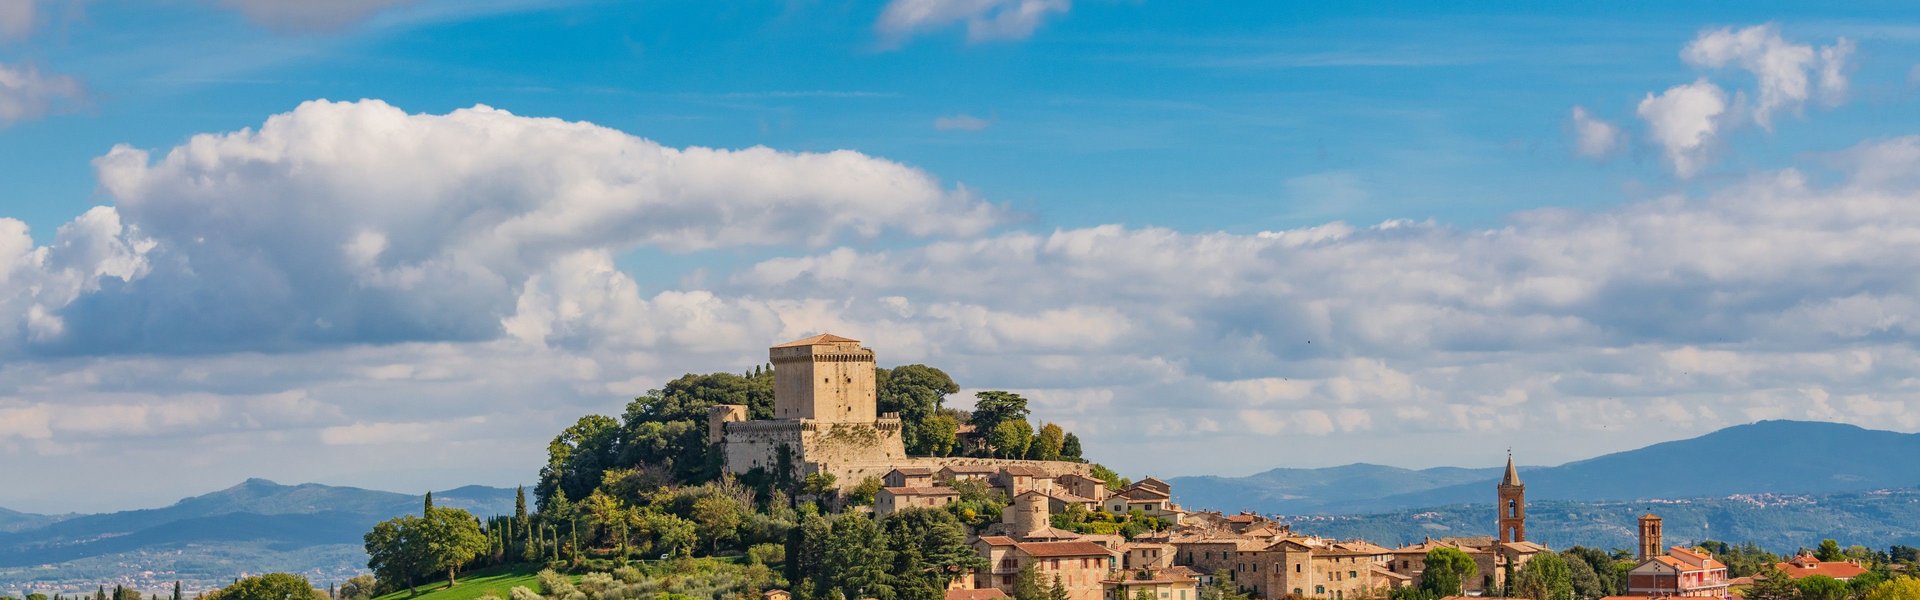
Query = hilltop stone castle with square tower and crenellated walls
x=827 y=420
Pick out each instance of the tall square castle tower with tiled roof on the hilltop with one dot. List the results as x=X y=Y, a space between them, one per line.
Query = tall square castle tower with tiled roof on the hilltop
x=827 y=378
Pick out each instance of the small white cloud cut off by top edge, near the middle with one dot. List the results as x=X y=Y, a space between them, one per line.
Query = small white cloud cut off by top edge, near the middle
x=986 y=20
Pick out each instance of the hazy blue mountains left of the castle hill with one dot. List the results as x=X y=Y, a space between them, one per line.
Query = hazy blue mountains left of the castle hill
x=251 y=528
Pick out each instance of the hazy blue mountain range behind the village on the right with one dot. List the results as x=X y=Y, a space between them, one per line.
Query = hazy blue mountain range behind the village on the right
x=1760 y=459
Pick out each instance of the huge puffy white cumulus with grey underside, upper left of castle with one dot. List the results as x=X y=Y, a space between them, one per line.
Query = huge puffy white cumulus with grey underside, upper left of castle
x=356 y=222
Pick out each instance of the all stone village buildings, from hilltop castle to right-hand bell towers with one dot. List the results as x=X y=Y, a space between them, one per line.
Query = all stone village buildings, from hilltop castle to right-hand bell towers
x=827 y=422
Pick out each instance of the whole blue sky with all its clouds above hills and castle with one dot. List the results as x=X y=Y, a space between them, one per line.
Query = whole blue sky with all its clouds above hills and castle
x=957 y=186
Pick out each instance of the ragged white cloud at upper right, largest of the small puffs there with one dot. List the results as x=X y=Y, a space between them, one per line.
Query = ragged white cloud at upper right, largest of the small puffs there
x=1779 y=66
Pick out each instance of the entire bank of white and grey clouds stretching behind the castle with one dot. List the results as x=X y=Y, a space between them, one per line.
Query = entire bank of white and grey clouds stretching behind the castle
x=1773 y=297
